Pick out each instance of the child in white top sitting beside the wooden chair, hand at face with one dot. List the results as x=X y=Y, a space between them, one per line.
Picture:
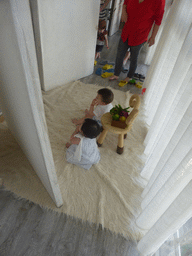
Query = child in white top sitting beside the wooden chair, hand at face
x=99 y=106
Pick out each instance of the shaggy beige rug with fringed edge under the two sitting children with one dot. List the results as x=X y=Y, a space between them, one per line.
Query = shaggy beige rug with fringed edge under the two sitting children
x=110 y=192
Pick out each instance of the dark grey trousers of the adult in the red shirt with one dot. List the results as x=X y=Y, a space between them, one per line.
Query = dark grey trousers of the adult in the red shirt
x=121 y=51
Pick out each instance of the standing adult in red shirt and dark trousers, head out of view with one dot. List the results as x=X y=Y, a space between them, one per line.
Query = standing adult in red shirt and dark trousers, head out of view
x=139 y=17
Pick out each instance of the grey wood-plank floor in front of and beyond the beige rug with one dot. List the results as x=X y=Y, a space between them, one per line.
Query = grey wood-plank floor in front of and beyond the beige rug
x=28 y=230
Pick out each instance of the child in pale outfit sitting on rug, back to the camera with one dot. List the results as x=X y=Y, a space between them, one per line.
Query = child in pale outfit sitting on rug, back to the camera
x=82 y=149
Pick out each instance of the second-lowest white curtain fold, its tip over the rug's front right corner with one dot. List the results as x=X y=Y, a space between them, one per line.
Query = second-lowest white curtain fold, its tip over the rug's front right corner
x=160 y=198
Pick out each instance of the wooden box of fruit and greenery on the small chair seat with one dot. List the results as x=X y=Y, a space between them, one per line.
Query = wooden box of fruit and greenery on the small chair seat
x=119 y=116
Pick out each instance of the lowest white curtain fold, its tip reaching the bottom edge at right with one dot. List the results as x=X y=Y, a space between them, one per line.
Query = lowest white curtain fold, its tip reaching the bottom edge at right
x=169 y=222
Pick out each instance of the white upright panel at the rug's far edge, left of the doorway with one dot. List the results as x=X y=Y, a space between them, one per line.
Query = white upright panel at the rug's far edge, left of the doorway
x=67 y=36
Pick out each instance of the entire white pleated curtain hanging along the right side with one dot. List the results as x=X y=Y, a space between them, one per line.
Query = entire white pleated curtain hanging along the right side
x=167 y=201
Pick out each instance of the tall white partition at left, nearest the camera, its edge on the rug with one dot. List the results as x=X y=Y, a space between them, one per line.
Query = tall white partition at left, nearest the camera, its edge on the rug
x=20 y=94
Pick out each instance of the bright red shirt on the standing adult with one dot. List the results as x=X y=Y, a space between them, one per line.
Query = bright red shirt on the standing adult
x=141 y=17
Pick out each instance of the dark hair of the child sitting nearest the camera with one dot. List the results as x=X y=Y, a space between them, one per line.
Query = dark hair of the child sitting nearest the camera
x=90 y=128
